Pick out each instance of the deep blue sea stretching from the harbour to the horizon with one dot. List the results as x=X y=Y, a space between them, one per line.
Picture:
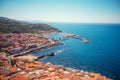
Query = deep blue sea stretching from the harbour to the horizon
x=101 y=55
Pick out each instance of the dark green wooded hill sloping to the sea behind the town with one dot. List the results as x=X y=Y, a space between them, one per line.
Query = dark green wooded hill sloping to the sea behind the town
x=14 y=26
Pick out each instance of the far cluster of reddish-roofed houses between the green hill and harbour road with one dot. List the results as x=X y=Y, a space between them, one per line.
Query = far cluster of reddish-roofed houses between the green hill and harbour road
x=15 y=43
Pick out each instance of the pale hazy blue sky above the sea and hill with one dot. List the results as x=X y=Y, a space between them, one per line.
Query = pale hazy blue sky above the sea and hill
x=90 y=11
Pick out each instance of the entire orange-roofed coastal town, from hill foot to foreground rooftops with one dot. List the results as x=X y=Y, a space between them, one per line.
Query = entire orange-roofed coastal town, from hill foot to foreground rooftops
x=17 y=64
